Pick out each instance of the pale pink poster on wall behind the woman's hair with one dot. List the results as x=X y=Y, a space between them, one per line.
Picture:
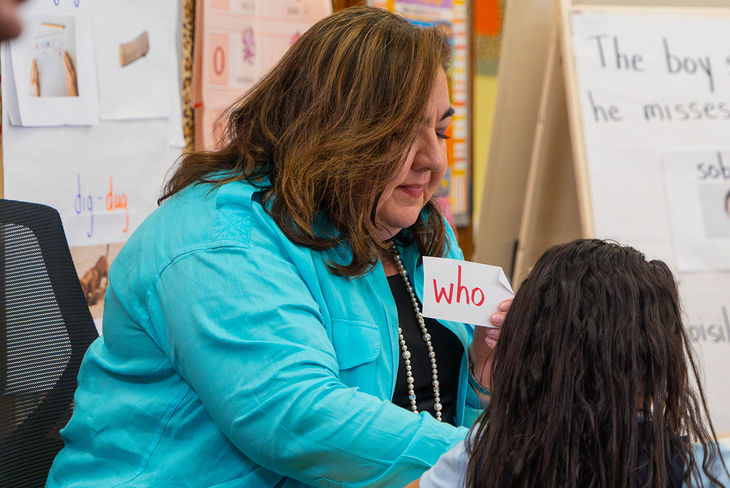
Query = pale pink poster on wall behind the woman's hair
x=236 y=43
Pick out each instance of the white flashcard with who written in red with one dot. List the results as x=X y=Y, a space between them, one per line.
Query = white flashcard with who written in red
x=462 y=291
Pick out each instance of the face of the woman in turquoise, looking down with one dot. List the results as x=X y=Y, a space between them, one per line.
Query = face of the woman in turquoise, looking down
x=423 y=168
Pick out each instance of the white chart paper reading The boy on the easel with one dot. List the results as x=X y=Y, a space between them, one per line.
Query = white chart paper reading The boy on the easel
x=653 y=81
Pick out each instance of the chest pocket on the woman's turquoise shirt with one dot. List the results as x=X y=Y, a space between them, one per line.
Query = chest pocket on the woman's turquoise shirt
x=358 y=347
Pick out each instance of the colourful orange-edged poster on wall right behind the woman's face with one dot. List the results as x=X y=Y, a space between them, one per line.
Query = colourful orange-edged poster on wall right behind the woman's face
x=451 y=15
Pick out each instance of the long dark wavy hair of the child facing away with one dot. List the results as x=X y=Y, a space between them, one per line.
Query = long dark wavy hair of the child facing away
x=591 y=379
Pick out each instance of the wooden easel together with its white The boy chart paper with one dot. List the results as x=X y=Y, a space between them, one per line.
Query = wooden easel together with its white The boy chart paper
x=631 y=145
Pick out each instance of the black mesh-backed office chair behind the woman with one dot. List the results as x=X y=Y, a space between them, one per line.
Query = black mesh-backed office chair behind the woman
x=45 y=329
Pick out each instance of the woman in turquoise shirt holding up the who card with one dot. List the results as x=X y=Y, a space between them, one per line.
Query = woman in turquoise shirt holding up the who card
x=252 y=336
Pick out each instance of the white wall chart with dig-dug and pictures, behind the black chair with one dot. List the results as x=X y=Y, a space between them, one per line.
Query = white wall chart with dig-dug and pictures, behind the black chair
x=103 y=178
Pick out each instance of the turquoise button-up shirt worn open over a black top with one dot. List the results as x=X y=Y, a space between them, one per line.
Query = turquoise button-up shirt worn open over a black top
x=232 y=357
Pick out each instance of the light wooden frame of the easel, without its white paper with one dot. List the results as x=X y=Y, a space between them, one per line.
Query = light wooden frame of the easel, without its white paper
x=537 y=195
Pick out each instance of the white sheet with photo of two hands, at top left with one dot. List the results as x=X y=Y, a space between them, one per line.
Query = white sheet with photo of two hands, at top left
x=53 y=66
